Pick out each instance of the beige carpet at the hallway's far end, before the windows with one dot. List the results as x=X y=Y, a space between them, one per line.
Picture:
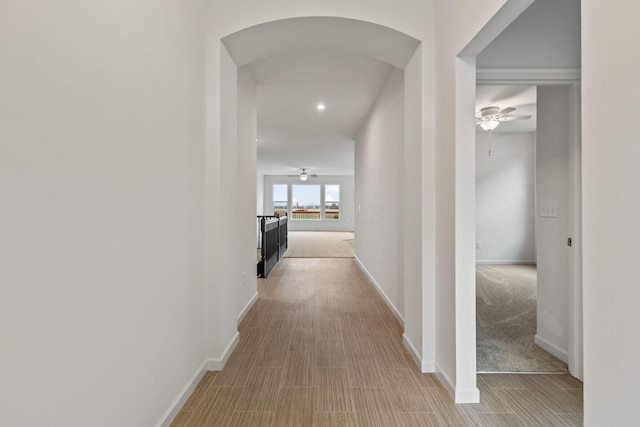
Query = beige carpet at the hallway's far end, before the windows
x=320 y=244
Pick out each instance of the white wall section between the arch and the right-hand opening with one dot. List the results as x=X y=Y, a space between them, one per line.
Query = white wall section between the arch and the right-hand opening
x=457 y=23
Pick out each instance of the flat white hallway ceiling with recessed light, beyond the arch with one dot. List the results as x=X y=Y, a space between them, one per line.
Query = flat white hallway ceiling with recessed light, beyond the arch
x=292 y=133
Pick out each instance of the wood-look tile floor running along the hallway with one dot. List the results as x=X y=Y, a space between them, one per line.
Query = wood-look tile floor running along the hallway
x=321 y=348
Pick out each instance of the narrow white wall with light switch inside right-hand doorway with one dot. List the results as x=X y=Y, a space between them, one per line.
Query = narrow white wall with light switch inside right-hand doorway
x=553 y=140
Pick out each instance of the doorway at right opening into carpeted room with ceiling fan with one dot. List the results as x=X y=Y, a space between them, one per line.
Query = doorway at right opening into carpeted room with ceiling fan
x=522 y=205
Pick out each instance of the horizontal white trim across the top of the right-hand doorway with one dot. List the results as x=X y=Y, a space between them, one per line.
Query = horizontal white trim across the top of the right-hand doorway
x=550 y=76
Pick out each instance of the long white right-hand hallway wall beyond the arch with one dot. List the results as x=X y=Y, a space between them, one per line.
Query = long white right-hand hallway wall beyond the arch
x=379 y=177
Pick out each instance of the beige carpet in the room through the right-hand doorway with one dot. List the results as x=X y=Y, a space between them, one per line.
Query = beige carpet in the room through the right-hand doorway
x=506 y=321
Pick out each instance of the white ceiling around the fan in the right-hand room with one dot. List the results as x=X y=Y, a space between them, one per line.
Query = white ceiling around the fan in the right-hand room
x=522 y=98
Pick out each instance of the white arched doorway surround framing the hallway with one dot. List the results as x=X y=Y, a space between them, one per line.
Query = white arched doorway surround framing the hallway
x=232 y=151
